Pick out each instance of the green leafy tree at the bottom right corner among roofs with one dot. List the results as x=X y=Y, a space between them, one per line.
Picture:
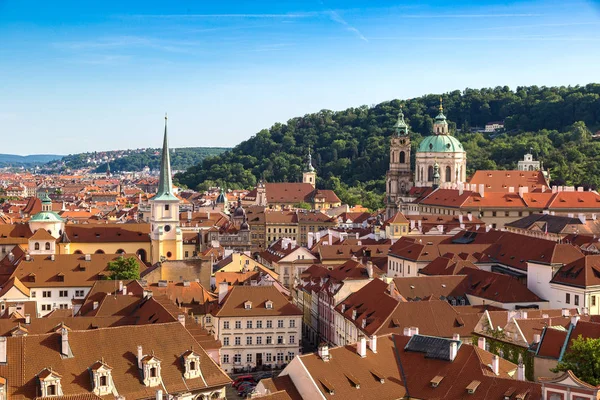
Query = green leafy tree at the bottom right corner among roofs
x=583 y=358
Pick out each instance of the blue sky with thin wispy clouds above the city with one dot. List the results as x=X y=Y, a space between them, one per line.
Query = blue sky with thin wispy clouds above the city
x=81 y=77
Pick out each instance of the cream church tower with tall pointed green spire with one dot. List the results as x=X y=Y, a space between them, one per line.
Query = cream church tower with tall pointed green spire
x=167 y=240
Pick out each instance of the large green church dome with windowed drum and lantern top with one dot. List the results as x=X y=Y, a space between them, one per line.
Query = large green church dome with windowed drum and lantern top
x=445 y=150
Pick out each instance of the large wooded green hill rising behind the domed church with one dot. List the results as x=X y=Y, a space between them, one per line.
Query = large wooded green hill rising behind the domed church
x=350 y=148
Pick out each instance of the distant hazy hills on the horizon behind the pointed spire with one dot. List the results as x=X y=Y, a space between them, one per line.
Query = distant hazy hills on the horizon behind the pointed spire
x=136 y=160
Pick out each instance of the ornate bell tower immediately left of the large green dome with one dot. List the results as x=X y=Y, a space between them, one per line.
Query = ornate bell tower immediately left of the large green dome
x=398 y=180
